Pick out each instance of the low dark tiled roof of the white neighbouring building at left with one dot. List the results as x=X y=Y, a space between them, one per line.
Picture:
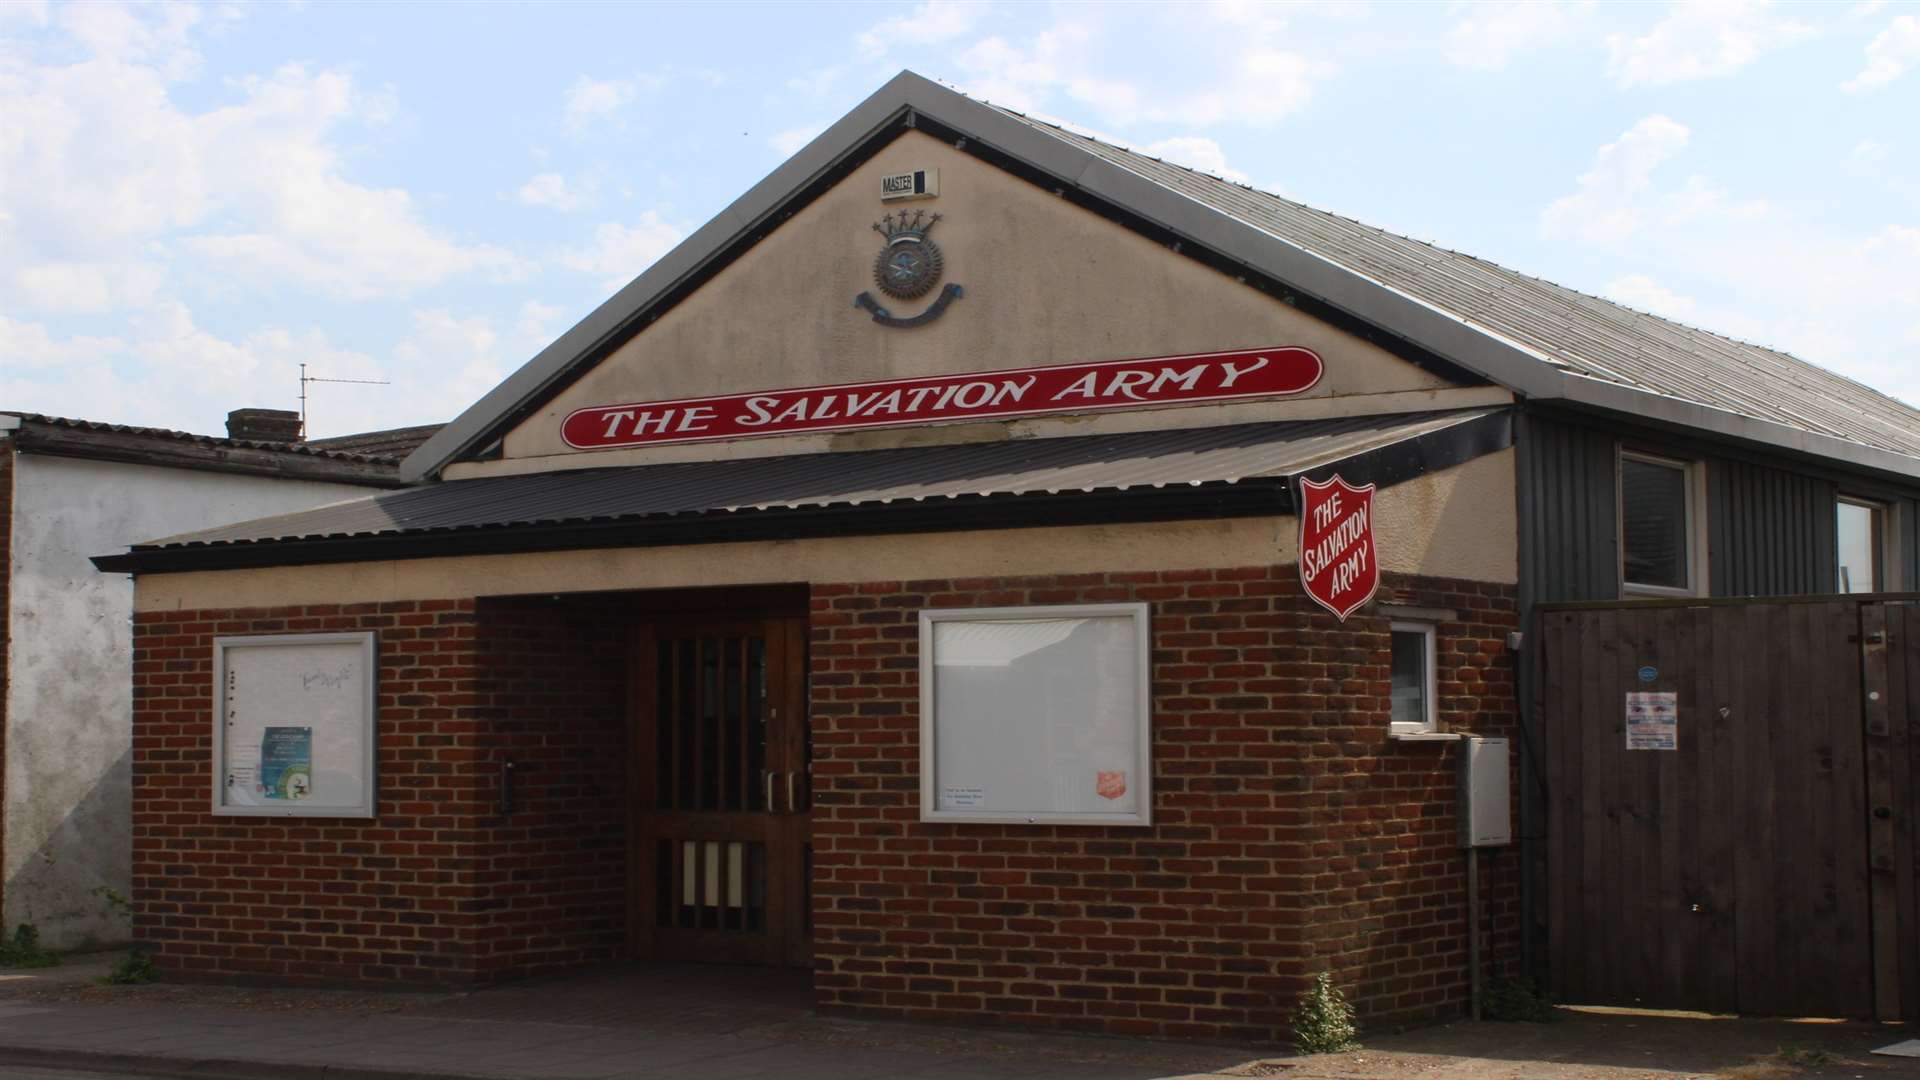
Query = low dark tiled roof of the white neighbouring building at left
x=185 y=451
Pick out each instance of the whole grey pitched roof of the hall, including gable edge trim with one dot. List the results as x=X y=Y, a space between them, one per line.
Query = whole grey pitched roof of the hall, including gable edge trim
x=1537 y=339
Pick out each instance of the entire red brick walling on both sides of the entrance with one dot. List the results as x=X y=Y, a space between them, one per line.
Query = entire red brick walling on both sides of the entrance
x=1291 y=837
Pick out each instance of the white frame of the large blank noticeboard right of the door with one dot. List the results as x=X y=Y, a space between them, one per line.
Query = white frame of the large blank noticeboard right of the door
x=1143 y=760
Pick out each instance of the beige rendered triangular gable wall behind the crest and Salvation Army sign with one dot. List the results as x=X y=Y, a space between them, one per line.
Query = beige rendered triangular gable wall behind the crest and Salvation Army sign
x=1045 y=283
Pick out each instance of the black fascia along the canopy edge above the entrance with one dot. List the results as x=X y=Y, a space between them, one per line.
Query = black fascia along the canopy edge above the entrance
x=1253 y=497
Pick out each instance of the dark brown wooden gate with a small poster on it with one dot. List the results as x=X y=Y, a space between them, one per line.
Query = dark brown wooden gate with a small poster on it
x=1767 y=862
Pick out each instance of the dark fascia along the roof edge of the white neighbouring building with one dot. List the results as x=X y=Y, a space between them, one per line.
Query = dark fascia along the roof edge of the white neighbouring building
x=137 y=449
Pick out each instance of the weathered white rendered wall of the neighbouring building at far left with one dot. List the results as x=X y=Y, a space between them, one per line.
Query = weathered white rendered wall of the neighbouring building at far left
x=70 y=699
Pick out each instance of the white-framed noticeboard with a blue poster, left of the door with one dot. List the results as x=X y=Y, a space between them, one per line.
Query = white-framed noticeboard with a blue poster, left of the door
x=295 y=725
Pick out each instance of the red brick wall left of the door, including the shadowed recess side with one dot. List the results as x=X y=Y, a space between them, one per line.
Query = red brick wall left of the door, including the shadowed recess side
x=441 y=889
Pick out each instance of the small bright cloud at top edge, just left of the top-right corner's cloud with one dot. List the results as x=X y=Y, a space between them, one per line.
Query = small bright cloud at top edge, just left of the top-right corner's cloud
x=1700 y=39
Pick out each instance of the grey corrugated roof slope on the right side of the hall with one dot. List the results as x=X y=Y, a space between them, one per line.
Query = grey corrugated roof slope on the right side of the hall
x=1573 y=331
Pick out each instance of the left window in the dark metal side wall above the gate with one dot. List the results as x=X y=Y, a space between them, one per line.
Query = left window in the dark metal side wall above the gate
x=1660 y=503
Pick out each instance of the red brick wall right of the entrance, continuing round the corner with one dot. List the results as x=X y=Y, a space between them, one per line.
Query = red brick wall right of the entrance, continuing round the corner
x=1291 y=837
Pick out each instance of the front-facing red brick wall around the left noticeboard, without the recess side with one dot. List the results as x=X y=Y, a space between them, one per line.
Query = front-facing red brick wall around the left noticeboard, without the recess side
x=312 y=900
